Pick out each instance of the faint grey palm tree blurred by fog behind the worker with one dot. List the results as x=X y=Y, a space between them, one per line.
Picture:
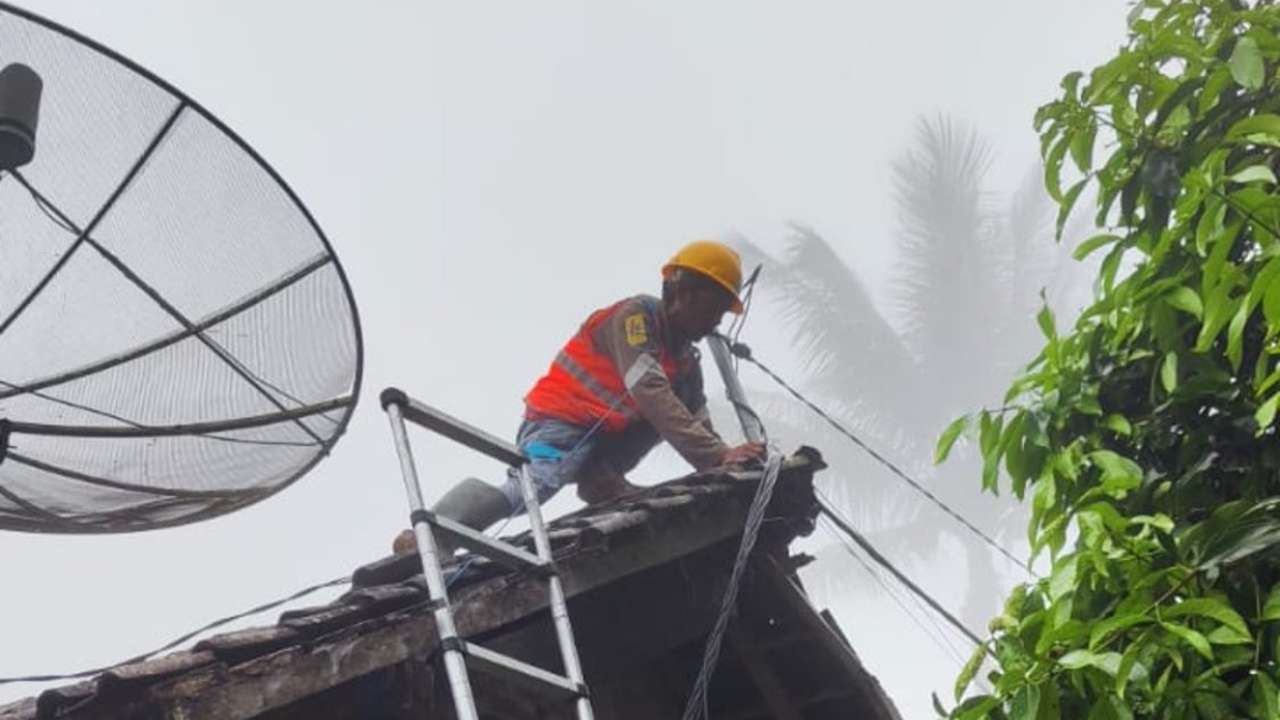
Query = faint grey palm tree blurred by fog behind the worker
x=966 y=291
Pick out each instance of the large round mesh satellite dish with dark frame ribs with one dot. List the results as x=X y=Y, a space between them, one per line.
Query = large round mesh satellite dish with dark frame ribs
x=177 y=338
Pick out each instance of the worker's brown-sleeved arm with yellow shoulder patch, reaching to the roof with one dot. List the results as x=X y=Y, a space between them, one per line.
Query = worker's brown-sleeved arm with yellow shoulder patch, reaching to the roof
x=632 y=341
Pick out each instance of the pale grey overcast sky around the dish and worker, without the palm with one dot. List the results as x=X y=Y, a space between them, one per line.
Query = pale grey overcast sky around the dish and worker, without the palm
x=491 y=172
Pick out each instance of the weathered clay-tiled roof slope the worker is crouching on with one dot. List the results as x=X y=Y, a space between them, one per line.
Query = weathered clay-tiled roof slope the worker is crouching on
x=385 y=618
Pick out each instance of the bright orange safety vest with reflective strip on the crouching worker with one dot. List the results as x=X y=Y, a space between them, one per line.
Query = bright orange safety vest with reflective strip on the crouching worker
x=583 y=386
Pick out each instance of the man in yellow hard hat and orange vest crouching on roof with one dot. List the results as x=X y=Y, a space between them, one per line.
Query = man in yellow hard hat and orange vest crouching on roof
x=628 y=380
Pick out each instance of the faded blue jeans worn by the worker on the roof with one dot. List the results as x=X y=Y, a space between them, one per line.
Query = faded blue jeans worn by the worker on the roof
x=559 y=453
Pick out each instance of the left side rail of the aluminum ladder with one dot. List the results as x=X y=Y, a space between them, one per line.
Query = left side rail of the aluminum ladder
x=455 y=664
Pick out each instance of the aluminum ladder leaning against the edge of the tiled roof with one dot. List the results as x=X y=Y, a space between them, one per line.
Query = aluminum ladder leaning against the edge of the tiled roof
x=459 y=654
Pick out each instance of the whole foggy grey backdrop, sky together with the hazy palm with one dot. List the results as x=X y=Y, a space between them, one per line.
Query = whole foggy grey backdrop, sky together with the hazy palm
x=488 y=174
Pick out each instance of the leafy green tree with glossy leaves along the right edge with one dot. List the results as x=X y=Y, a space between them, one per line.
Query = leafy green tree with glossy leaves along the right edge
x=1146 y=436
